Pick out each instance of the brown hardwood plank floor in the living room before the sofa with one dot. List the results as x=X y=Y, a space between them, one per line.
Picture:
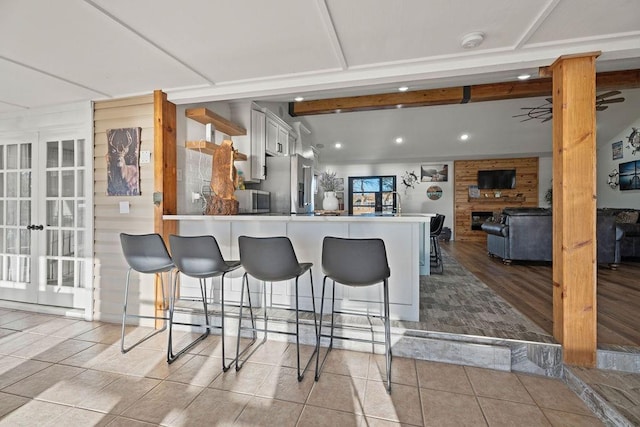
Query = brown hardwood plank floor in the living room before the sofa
x=528 y=287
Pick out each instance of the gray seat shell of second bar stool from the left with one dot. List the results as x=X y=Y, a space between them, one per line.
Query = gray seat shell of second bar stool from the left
x=197 y=256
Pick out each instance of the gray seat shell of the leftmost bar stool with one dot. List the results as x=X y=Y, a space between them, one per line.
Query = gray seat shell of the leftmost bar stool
x=146 y=253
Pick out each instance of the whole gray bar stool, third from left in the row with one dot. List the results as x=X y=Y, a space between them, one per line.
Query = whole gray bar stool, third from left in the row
x=272 y=259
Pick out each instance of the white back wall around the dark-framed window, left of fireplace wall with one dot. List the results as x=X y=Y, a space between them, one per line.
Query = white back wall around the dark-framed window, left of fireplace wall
x=414 y=200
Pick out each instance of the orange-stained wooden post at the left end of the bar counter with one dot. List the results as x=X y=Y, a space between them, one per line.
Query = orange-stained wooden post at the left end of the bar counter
x=164 y=176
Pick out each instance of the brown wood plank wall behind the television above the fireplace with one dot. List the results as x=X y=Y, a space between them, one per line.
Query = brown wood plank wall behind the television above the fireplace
x=466 y=174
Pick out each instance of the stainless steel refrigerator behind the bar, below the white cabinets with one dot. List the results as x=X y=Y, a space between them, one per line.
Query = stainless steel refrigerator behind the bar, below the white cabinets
x=289 y=180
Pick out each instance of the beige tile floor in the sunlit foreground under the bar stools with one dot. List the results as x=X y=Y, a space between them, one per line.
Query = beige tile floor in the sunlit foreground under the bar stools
x=60 y=371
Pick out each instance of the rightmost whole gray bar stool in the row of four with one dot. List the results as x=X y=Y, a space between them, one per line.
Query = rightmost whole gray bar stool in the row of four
x=355 y=262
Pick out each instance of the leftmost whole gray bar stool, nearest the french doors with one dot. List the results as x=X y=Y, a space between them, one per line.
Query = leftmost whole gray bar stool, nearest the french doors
x=147 y=254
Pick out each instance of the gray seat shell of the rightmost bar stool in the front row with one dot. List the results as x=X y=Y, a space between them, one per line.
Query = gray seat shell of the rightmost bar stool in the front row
x=355 y=262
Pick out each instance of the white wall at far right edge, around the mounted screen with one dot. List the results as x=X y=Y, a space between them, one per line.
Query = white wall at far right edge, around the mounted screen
x=607 y=196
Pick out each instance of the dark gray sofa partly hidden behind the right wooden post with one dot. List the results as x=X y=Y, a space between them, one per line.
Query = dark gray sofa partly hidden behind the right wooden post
x=525 y=234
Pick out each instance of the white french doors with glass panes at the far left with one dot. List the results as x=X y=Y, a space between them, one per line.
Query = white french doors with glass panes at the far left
x=43 y=199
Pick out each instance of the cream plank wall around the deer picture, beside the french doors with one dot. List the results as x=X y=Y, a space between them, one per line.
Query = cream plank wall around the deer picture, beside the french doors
x=110 y=268
